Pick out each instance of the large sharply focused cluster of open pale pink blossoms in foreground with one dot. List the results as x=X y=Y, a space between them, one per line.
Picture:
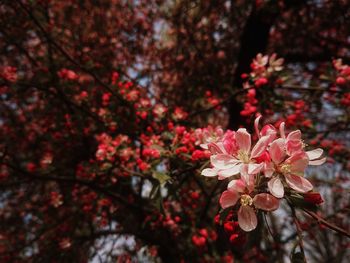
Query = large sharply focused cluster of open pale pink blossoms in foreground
x=260 y=175
